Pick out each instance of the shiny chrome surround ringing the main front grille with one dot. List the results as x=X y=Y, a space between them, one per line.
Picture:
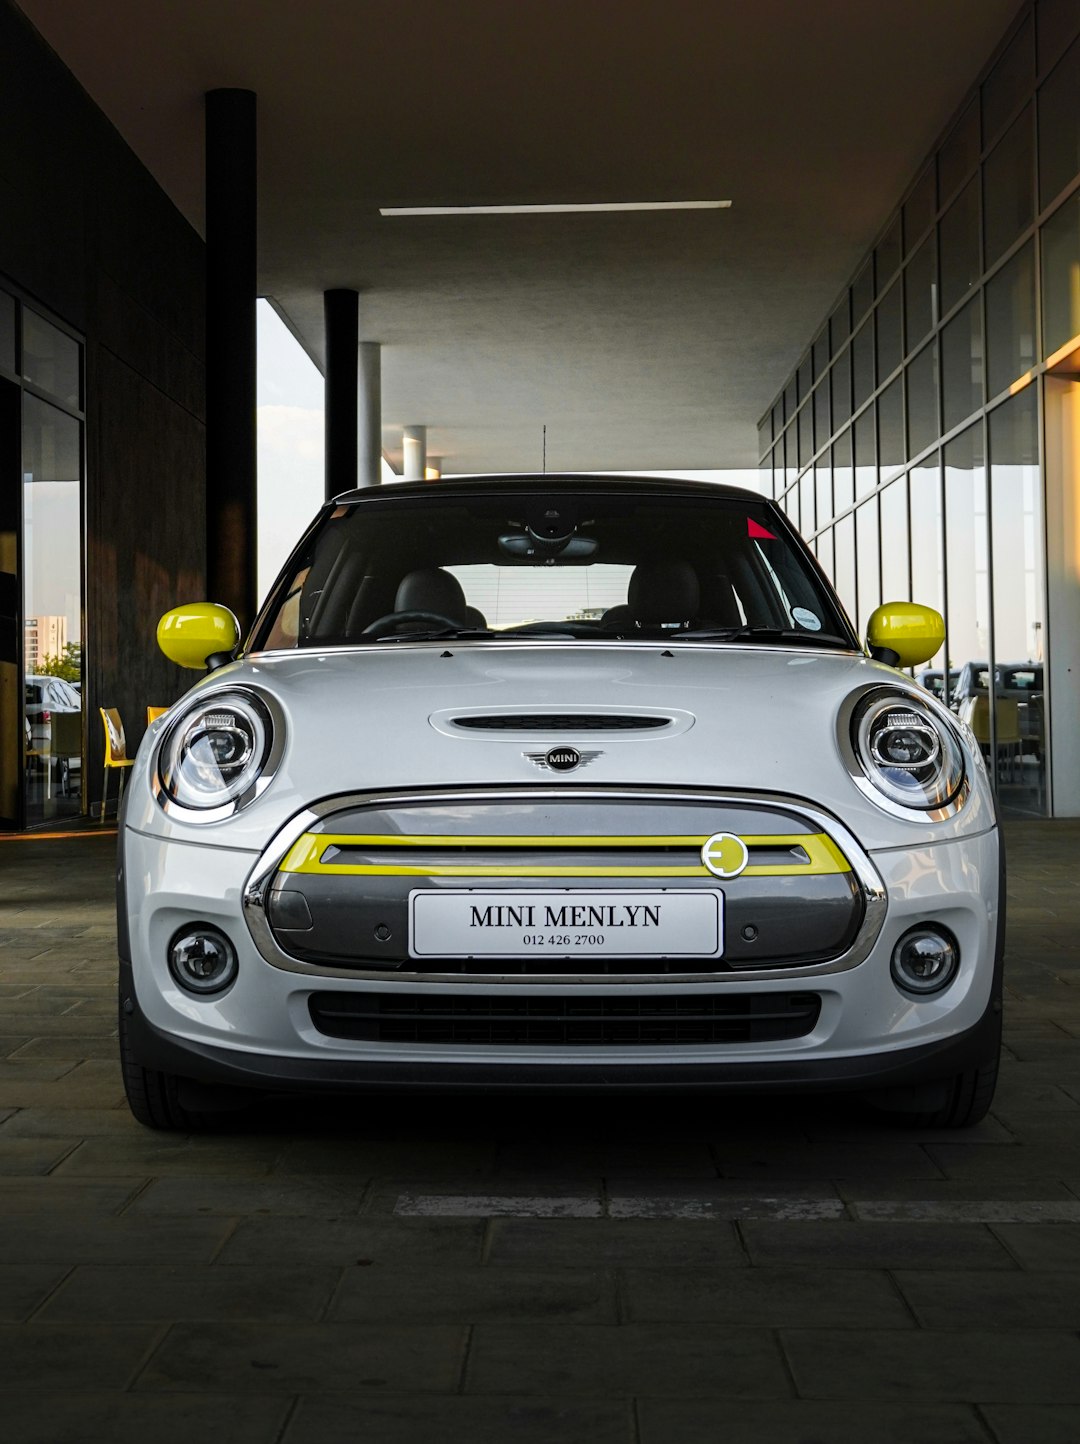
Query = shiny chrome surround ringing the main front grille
x=261 y=882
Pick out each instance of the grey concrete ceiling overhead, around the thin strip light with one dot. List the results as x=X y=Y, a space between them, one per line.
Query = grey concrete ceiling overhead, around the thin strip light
x=650 y=340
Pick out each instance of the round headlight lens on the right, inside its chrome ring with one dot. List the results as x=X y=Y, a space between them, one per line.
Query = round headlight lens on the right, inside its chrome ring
x=907 y=753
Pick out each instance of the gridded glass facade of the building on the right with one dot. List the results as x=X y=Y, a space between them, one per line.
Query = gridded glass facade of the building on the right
x=926 y=477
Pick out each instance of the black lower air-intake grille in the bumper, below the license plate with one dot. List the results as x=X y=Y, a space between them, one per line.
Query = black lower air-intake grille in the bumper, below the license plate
x=584 y=1022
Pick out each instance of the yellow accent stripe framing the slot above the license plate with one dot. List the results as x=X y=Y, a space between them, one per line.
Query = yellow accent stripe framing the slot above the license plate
x=305 y=857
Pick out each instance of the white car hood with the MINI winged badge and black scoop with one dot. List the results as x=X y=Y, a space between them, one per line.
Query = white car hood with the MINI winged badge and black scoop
x=744 y=718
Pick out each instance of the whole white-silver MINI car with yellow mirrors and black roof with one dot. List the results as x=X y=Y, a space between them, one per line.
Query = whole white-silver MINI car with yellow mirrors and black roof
x=558 y=782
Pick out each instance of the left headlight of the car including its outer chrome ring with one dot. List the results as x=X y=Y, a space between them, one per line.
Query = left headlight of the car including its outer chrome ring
x=219 y=754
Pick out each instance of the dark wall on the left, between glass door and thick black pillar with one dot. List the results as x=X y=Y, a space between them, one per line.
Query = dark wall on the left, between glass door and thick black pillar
x=87 y=235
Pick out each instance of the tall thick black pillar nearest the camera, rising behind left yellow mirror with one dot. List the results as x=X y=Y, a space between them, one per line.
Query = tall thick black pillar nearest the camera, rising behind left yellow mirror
x=232 y=502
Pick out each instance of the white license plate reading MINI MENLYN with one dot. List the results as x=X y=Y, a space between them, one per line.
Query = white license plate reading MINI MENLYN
x=467 y=923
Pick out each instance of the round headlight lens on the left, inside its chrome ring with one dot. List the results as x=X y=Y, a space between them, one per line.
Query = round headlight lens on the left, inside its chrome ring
x=216 y=752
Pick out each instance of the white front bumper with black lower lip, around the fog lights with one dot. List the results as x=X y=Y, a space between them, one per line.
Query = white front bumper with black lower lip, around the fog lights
x=261 y=1033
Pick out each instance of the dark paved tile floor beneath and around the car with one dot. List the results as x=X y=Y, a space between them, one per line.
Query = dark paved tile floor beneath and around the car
x=622 y=1273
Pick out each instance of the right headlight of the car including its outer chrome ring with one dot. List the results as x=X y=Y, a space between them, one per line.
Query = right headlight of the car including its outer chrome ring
x=905 y=753
